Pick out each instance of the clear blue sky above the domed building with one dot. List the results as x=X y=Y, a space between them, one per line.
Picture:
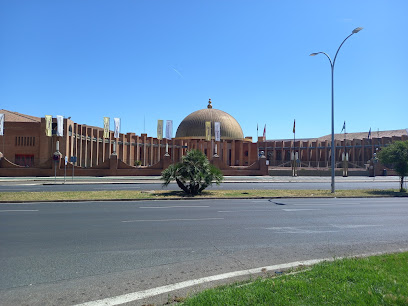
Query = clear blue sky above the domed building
x=148 y=60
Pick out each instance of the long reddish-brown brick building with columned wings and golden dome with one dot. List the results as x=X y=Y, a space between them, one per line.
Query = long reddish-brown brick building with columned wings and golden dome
x=27 y=151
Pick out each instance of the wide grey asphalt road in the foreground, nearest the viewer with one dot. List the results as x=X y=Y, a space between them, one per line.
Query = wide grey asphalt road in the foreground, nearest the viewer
x=68 y=253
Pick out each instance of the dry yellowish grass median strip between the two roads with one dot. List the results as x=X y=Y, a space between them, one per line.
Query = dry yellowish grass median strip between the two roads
x=164 y=194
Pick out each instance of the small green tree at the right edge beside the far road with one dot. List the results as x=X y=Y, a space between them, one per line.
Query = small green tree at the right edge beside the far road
x=396 y=155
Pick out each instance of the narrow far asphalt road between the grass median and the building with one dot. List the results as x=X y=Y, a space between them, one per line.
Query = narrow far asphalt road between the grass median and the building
x=51 y=187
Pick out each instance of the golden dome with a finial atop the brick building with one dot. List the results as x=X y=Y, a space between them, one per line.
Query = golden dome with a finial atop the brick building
x=193 y=126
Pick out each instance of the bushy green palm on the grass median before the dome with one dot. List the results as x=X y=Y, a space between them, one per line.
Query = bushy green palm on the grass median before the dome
x=193 y=174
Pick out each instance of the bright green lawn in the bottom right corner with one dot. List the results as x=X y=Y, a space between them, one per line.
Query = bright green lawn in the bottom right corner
x=376 y=280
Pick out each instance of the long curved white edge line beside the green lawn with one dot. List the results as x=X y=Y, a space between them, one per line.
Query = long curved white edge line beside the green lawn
x=134 y=296
